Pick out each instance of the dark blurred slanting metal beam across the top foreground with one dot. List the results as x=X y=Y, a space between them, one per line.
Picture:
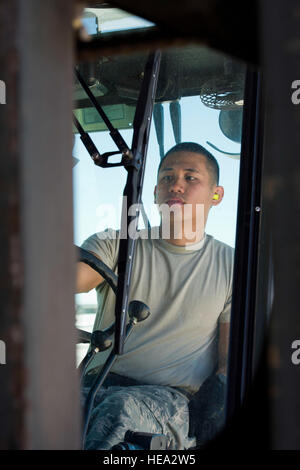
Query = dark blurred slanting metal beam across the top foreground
x=228 y=26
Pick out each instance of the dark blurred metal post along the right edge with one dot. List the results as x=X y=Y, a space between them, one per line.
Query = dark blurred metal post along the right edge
x=280 y=25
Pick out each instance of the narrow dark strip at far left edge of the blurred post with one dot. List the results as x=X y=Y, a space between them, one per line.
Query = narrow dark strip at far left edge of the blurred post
x=12 y=373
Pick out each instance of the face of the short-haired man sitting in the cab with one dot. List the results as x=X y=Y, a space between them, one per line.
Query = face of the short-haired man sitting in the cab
x=184 y=179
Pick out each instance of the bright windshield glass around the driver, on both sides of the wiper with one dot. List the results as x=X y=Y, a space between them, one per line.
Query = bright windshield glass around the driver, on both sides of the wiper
x=199 y=99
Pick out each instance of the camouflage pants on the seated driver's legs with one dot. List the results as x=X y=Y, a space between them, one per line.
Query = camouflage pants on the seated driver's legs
x=145 y=408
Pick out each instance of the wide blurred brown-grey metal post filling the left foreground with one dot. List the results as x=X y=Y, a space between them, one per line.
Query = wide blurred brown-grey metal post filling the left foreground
x=39 y=395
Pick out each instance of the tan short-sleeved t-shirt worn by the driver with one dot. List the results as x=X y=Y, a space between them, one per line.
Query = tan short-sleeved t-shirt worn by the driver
x=188 y=289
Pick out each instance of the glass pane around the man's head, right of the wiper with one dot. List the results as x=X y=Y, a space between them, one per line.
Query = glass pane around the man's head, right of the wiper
x=209 y=91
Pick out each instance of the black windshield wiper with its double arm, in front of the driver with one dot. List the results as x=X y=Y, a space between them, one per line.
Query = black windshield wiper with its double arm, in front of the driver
x=134 y=161
